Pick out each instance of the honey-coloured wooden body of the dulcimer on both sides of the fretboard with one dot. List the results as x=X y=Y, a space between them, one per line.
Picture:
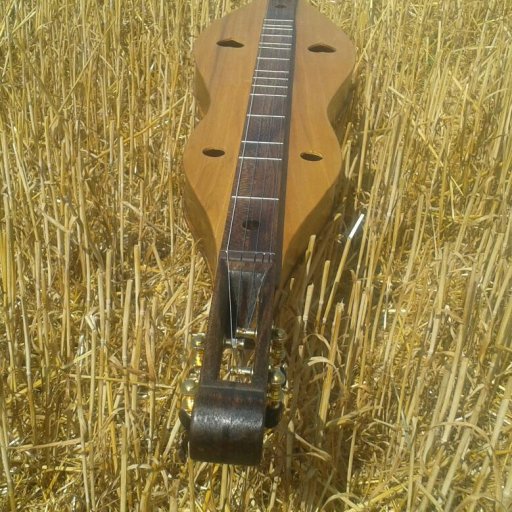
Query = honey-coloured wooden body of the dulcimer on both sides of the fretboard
x=223 y=82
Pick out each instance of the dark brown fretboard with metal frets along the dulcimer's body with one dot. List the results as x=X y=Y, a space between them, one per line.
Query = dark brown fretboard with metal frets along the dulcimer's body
x=253 y=229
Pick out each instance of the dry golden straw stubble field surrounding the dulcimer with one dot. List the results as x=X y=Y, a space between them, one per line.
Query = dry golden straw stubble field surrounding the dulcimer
x=401 y=359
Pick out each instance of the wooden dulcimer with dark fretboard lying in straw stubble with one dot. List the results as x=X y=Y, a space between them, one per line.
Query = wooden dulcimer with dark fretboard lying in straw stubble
x=261 y=170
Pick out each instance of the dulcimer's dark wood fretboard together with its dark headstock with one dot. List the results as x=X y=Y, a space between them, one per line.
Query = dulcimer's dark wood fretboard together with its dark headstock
x=229 y=417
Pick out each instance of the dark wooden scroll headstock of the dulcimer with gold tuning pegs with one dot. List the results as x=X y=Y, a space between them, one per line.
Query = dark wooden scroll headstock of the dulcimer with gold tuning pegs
x=235 y=389
